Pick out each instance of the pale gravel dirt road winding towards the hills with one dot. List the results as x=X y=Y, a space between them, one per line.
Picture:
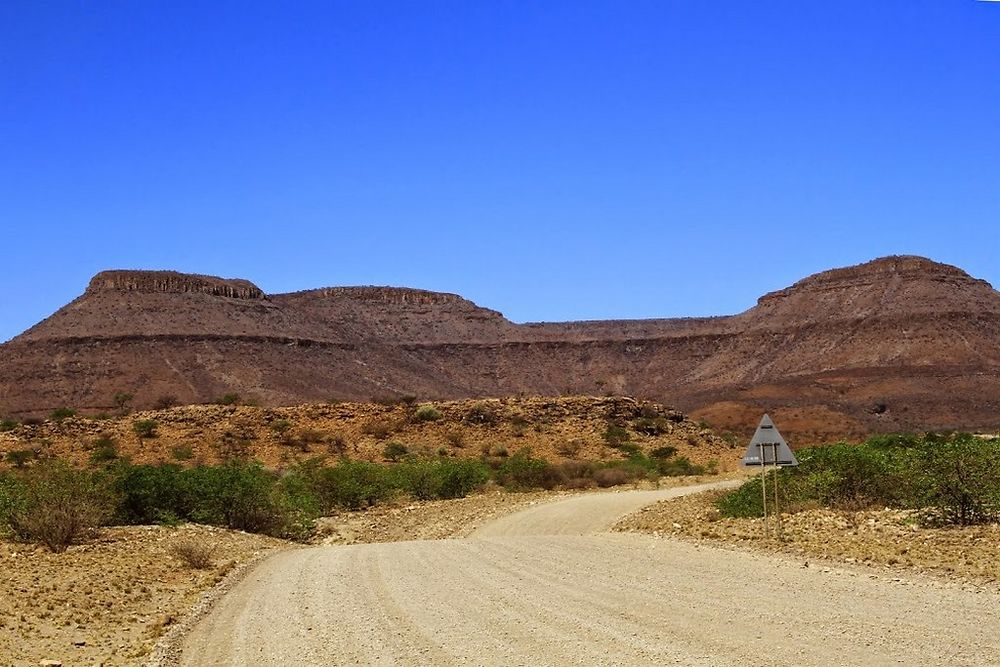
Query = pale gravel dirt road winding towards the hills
x=567 y=595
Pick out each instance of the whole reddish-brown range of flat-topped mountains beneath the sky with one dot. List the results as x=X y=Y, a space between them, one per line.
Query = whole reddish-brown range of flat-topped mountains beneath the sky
x=898 y=343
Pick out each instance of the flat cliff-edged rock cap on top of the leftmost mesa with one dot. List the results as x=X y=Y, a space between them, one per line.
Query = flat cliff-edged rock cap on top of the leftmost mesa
x=173 y=282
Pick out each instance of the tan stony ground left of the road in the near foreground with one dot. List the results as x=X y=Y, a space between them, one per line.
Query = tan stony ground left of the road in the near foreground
x=107 y=601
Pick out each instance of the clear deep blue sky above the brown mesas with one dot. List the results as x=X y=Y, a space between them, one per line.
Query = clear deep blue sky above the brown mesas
x=552 y=160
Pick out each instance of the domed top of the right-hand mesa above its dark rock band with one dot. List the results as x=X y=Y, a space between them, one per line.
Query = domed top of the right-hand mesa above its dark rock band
x=897 y=286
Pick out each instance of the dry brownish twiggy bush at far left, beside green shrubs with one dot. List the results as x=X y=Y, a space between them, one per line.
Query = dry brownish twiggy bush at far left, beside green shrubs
x=56 y=505
